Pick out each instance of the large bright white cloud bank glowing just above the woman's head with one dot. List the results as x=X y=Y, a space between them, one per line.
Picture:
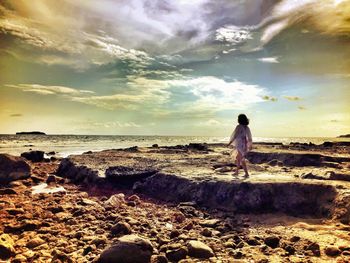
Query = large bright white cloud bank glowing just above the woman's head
x=203 y=94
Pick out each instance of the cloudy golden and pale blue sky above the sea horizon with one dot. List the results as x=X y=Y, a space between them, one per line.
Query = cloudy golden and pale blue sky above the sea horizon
x=185 y=67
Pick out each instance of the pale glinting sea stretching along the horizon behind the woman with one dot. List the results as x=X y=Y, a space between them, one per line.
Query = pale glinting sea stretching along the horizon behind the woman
x=64 y=145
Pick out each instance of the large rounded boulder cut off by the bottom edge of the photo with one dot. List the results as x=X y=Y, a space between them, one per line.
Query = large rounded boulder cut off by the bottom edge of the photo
x=128 y=249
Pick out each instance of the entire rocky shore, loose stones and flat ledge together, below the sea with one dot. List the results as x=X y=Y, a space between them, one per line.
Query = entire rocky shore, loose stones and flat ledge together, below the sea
x=177 y=204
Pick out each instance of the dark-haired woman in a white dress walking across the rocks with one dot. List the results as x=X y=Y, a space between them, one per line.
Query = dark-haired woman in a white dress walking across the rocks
x=241 y=139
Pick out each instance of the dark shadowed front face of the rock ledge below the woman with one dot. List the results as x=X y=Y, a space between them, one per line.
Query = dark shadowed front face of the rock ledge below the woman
x=294 y=198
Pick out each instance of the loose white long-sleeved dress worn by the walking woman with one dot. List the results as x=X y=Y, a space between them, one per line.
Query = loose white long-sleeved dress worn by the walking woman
x=241 y=139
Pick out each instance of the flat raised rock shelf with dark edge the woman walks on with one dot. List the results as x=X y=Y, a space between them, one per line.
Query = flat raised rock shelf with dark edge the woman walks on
x=204 y=175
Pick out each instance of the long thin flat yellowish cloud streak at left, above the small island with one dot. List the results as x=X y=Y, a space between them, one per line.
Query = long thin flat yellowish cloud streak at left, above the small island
x=49 y=90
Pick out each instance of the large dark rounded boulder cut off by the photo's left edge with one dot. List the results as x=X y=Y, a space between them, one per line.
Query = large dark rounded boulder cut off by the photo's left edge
x=13 y=168
